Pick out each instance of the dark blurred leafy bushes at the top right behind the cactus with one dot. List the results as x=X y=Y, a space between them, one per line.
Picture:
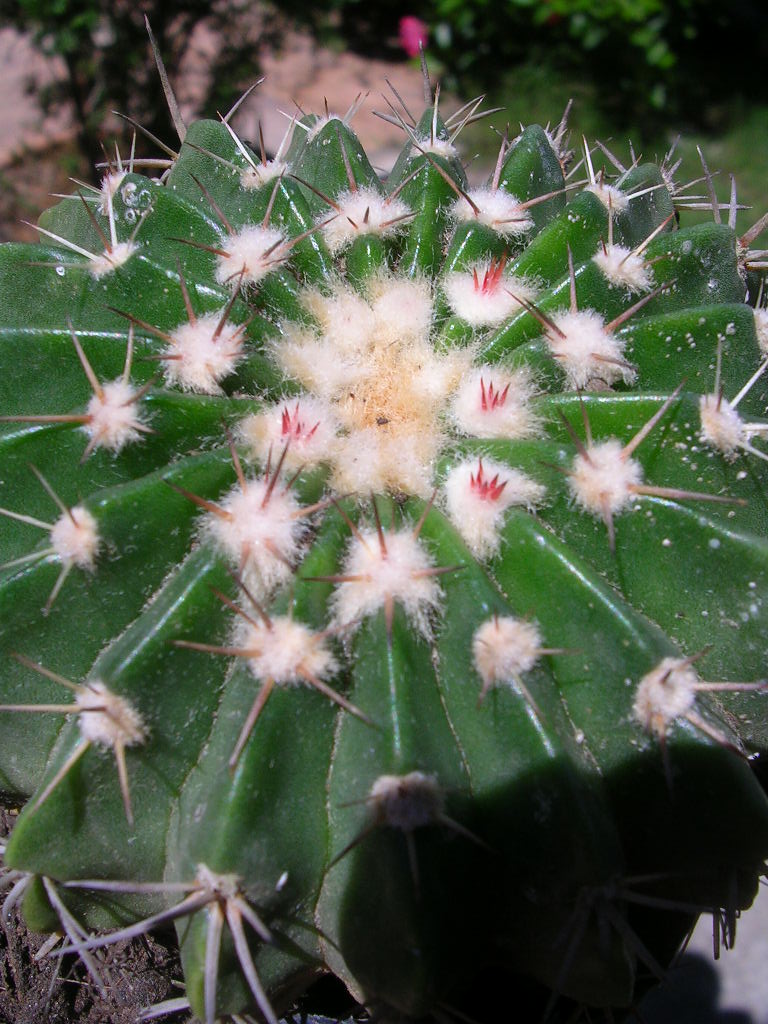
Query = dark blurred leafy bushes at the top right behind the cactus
x=651 y=62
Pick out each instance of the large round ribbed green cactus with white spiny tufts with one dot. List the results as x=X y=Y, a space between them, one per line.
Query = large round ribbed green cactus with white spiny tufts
x=403 y=547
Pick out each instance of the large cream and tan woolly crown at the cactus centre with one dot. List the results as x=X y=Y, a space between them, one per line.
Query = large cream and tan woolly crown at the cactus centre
x=373 y=364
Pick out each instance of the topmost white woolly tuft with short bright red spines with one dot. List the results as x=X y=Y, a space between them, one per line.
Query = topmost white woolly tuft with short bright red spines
x=486 y=296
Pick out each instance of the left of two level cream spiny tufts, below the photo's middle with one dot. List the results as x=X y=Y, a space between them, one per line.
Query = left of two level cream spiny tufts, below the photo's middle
x=286 y=652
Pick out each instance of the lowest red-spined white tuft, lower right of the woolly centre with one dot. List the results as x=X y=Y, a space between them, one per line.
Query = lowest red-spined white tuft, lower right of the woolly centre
x=479 y=493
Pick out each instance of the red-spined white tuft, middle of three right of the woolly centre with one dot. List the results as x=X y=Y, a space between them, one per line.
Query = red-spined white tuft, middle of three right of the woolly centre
x=493 y=402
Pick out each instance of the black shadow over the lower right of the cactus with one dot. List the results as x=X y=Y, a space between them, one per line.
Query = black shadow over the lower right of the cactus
x=553 y=899
